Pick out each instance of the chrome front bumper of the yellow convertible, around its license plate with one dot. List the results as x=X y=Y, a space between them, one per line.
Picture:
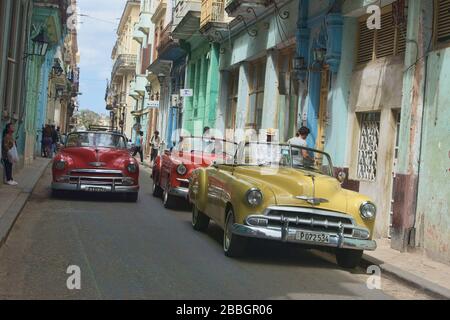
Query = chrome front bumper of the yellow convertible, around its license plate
x=284 y=234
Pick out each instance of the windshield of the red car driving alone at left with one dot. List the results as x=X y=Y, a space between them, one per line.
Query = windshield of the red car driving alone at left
x=98 y=140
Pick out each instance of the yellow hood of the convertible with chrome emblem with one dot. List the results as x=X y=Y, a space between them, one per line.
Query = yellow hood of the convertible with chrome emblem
x=287 y=184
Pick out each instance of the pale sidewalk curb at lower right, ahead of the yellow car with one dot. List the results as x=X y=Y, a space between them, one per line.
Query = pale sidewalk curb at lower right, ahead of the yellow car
x=409 y=278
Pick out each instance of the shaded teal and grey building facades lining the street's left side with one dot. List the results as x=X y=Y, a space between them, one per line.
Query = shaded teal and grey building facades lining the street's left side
x=34 y=34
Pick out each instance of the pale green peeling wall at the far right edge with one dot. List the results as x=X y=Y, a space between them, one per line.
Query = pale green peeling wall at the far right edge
x=434 y=174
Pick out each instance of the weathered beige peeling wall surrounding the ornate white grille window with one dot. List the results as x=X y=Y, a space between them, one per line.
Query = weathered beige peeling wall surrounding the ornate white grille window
x=376 y=87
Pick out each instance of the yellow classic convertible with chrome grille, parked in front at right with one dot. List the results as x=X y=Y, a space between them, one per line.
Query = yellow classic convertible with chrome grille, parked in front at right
x=283 y=193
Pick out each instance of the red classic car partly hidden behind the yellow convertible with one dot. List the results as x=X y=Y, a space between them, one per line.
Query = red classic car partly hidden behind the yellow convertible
x=172 y=170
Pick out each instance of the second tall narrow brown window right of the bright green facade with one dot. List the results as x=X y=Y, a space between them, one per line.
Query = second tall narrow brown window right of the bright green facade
x=257 y=75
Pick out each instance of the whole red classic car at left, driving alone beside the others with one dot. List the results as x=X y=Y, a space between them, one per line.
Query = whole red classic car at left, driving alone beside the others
x=96 y=162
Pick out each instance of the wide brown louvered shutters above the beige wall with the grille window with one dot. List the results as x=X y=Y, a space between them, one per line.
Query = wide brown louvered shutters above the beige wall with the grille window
x=390 y=40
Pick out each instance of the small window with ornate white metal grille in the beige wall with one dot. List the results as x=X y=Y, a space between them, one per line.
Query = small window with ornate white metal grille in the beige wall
x=368 y=146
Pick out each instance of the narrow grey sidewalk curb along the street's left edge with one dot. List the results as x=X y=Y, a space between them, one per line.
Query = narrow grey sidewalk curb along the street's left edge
x=11 y=215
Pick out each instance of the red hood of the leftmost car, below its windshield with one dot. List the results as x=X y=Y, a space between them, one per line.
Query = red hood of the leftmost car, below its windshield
x=97 y=157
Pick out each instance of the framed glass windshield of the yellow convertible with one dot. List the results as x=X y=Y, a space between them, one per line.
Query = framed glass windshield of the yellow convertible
x=279 y=155
